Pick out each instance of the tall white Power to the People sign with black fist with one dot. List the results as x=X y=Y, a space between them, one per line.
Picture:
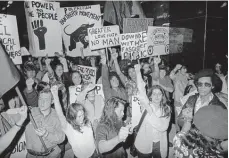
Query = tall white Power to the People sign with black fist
x=43 y=28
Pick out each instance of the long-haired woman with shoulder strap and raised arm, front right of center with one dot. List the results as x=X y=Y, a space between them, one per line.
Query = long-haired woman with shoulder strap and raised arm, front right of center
x=151 y=139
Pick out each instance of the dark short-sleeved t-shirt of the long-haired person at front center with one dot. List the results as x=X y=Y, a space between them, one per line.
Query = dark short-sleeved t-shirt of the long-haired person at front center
x=103 y=132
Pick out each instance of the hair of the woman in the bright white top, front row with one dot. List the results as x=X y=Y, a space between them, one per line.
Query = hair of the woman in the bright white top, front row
x=71 y=115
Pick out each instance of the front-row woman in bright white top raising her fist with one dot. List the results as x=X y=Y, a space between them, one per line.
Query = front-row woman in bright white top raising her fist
x=76 y=127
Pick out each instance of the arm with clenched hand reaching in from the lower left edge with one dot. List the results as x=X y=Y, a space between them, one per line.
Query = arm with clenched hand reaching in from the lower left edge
x=6 y=139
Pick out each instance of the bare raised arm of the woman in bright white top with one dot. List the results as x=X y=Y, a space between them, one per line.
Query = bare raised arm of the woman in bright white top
x=58 y=108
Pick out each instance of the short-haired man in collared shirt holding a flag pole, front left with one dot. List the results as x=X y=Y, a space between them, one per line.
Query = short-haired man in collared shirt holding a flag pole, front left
x=48 y=128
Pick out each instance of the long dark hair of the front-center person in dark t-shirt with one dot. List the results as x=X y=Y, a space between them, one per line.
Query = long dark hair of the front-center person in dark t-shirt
x=109 y=116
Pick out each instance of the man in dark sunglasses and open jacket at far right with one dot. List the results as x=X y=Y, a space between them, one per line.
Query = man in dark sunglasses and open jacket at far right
x=205 y=83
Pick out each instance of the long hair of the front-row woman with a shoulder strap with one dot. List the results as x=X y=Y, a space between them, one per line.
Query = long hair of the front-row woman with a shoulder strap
x=164 y=102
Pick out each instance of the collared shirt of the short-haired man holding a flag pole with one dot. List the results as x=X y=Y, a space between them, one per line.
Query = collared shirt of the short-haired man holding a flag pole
x=51 y=123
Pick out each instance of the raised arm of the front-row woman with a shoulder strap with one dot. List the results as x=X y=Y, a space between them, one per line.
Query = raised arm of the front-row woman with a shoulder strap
x=141 y=88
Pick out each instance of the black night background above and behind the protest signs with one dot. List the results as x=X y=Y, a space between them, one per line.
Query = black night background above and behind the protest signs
x=182 y=14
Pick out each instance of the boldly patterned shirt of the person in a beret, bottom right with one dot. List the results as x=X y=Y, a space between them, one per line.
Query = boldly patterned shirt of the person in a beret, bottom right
x=204 y=146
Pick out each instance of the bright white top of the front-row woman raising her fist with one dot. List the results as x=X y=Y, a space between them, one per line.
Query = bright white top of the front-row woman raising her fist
x=82 y=144
